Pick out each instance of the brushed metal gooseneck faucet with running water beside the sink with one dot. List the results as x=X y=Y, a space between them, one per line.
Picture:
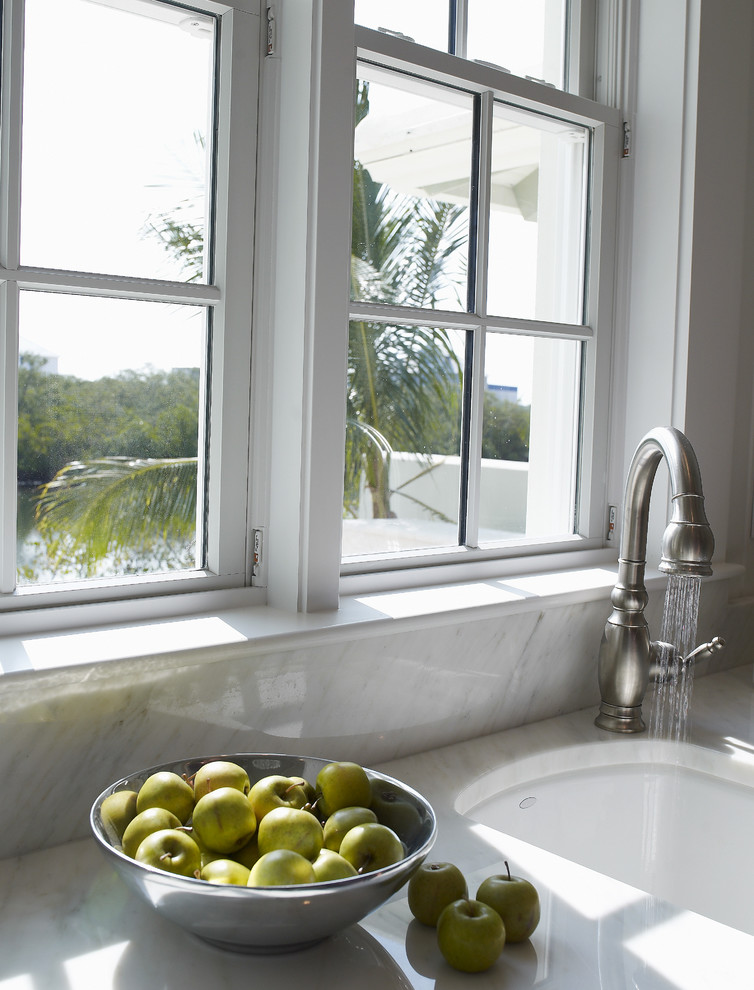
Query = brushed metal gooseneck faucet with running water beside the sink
x=626 y=652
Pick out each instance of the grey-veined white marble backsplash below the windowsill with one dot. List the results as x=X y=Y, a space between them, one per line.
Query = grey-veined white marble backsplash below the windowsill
x=372 y=698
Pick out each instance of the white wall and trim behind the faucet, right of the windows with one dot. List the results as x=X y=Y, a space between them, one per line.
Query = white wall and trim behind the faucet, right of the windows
x=687 y=351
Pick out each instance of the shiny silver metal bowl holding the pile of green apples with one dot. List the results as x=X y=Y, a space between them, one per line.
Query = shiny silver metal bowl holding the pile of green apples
x=273 y=919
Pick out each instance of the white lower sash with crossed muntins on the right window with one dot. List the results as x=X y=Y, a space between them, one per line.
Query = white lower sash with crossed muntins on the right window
x=604 y=126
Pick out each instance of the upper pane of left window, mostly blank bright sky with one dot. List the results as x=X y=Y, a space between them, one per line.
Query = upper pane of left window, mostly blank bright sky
x=116 y=111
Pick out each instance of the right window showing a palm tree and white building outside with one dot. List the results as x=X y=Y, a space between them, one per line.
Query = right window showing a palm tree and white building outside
x=481 y=273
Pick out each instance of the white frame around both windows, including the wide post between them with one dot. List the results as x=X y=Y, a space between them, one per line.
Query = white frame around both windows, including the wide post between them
x=292 y=419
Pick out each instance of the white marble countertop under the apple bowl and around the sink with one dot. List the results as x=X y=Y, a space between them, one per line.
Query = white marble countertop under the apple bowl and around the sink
x=68 y=923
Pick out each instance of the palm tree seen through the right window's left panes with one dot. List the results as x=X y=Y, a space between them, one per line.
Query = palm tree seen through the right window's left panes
x=402 y=381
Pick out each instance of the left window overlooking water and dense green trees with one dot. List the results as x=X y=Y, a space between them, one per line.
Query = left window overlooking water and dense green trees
x=126 y=302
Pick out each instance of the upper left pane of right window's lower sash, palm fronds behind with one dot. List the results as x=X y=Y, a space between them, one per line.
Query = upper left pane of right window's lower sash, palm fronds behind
x=412 y=185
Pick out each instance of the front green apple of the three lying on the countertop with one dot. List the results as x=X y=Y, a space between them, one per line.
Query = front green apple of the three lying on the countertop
x=471 y=935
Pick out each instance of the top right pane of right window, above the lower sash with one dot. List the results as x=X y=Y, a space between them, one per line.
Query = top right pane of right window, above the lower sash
x=527 y=37
